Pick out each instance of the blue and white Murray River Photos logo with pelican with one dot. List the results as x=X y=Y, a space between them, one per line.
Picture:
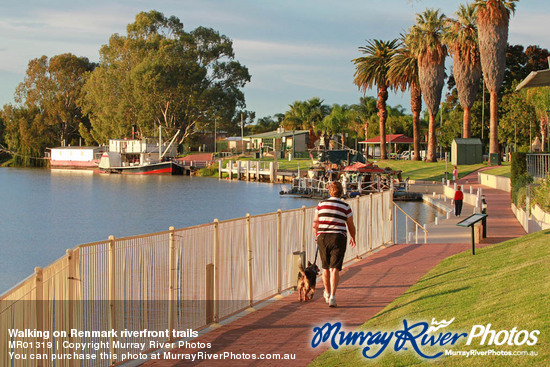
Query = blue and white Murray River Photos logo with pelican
x=417 y=336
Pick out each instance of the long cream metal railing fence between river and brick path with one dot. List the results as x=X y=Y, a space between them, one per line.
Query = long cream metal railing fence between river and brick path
x=180 y=279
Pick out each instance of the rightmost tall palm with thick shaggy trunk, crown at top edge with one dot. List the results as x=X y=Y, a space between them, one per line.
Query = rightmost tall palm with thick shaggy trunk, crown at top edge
x=493 y=17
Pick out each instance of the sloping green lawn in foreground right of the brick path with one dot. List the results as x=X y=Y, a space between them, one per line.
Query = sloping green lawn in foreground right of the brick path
x=506 y=285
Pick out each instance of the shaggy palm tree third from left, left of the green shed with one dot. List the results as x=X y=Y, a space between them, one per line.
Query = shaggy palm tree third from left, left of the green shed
x=424 y=41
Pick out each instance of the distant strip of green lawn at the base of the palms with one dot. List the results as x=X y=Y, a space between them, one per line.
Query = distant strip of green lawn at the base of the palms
x=420 y=170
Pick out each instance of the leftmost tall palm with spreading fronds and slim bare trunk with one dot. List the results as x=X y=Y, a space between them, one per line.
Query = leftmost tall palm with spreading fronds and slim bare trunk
x=373 y=69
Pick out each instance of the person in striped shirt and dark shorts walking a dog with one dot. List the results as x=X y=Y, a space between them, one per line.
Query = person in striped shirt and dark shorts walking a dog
x=332 y=217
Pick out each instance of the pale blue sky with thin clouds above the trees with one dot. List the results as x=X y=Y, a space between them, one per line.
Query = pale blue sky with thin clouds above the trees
x=294 y=49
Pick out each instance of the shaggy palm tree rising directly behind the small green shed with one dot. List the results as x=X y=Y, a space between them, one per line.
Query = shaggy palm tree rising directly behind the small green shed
x=461 y=38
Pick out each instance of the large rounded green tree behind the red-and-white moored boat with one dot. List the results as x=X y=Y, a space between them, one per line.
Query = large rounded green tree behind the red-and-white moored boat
x=158 y=74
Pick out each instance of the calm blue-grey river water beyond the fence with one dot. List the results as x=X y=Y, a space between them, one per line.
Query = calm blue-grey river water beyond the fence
x=46 y=212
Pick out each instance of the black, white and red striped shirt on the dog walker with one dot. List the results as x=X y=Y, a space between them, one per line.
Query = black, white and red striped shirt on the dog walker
x=333 y=214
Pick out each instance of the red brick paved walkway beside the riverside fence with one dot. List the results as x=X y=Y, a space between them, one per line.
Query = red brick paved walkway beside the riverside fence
x=366 y=287
